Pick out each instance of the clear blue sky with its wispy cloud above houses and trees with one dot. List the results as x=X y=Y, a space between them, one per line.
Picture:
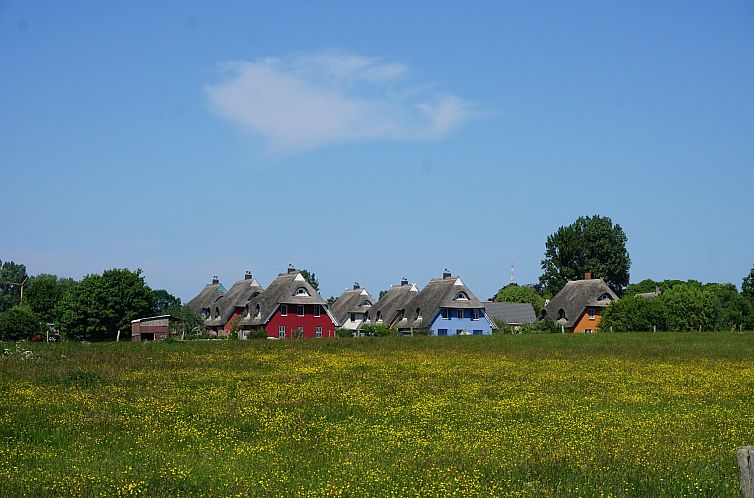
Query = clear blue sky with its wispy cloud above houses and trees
x=367 y=141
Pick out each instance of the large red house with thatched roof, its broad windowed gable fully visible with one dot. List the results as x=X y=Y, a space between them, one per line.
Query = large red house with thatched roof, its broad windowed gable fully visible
x=289 y=308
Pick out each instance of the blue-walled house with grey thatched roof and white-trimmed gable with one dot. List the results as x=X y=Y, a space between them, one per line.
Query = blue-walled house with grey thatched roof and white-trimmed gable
x=445 y=306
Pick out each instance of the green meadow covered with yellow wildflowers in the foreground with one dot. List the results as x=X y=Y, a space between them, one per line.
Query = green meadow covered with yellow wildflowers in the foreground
x=590 y=415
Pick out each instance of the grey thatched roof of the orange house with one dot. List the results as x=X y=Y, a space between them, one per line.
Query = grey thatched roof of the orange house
x=575 y=296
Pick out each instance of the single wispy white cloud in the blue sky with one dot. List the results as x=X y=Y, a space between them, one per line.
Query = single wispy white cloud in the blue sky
x=304 y=102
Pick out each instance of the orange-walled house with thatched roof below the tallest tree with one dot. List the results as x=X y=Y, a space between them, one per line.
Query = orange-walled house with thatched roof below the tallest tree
x=579 y=304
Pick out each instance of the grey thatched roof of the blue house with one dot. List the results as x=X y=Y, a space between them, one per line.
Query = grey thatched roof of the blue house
x=439 y=293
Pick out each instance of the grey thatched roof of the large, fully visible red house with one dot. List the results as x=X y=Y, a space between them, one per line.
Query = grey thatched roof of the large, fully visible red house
x=281 y=291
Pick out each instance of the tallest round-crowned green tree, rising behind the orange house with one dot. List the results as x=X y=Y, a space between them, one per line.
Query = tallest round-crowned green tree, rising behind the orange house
x=590 y=244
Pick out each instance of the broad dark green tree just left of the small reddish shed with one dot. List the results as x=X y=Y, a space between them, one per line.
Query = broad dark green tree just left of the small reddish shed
x=101 y=305
